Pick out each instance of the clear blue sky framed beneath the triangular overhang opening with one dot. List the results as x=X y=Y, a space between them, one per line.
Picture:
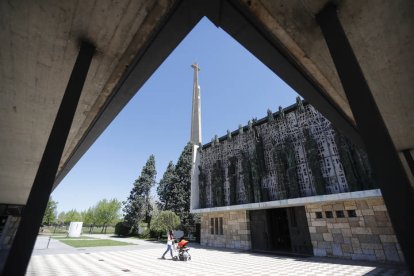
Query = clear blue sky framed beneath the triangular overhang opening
x=235 y=87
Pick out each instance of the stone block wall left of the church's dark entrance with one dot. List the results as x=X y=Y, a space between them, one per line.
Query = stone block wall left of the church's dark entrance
x=236 y=230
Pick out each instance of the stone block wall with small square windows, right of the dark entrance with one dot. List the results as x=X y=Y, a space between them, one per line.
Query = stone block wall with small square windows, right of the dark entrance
x=367 y=236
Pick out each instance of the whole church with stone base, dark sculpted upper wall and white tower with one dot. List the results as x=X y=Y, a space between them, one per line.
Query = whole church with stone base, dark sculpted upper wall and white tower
x=289 y=183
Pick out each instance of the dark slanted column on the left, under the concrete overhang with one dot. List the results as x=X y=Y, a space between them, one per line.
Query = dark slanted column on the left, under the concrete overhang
x=25 y=238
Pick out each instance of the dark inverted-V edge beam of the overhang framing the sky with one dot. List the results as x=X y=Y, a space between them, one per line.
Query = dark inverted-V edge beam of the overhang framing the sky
x=236 y=20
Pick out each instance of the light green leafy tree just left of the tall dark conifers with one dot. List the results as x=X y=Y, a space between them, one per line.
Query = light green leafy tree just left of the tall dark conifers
x=107 y=212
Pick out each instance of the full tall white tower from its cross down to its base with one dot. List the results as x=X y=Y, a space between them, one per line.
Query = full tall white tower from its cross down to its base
x=195 y=139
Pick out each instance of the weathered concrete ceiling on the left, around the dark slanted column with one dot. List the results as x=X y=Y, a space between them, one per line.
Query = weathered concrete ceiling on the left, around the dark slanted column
x=39 y=47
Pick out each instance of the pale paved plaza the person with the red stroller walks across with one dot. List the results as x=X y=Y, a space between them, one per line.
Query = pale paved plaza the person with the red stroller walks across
x=144 y=259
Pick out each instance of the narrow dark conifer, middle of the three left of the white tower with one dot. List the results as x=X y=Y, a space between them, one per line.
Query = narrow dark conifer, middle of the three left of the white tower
x=166 y=187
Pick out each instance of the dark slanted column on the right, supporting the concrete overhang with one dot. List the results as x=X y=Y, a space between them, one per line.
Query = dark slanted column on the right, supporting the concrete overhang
x=391 y=176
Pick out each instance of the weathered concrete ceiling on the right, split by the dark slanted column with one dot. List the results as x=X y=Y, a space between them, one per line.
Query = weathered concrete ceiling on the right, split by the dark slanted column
x=381 y=35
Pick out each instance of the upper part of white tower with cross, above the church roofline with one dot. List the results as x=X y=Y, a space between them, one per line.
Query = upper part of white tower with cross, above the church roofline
x=196 y=112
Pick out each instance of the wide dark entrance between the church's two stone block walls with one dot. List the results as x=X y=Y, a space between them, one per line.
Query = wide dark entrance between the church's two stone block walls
x=280 y=230
